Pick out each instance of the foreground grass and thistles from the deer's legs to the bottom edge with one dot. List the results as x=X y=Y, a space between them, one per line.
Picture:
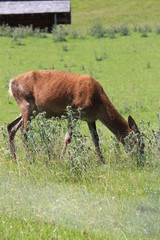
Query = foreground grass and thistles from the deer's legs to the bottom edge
x=36 y=191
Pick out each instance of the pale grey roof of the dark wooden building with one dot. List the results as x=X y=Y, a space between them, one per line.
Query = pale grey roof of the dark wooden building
x=31 y=7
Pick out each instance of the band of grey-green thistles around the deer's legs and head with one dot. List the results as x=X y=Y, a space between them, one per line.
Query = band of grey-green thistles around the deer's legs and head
x=45 y=142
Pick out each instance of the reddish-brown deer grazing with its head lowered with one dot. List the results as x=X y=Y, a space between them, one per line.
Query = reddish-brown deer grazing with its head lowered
x=51 y=91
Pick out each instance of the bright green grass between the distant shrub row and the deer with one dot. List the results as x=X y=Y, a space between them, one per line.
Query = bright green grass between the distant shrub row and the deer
x=129 y=68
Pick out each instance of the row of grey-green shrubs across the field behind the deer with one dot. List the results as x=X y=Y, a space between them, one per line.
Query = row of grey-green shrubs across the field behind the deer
x=60 y=33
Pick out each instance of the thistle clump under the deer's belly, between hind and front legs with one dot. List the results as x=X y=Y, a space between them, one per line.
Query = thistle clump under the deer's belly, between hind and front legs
x=45 y=142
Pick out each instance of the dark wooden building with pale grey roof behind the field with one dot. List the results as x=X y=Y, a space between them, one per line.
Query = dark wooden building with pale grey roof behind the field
x=38 y=13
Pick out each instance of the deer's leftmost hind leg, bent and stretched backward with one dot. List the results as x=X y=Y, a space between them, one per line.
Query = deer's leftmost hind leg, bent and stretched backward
x=12 y=128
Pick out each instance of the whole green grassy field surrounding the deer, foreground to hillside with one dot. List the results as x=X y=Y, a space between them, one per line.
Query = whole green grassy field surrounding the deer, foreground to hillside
x=44 y=196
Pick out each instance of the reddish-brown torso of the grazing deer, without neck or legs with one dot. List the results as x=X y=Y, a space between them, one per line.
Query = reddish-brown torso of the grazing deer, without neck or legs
x=53 y=90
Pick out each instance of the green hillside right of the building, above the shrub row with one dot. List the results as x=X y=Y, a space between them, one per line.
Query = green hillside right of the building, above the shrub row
x=115 y=12
